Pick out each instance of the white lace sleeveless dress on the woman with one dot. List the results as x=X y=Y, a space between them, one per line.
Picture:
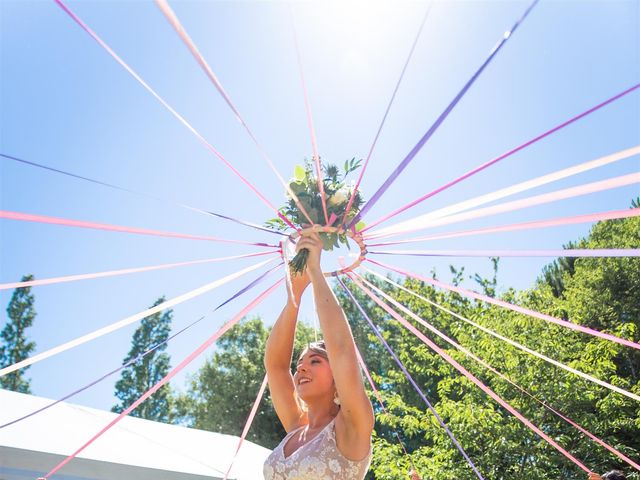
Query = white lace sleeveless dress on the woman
x=318 y=459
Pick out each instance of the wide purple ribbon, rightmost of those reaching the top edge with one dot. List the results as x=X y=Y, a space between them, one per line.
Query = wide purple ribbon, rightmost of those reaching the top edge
x=414 y=151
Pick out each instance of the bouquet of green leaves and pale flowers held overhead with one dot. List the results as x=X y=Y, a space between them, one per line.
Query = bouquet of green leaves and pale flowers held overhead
x=304 y=185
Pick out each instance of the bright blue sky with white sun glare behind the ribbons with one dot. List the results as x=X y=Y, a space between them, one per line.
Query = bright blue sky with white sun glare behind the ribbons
x=67 y=104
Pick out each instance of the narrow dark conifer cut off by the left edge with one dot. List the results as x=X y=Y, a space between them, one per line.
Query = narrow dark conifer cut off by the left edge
x=15 y=346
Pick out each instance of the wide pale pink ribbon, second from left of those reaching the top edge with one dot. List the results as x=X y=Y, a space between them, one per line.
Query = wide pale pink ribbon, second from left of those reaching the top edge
x=164 y=7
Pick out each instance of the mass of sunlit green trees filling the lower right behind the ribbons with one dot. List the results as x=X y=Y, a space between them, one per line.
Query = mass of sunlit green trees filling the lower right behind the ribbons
x=597 y=292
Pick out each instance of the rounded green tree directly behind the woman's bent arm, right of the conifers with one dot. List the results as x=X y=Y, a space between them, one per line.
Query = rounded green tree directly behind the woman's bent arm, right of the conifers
x=222 y=392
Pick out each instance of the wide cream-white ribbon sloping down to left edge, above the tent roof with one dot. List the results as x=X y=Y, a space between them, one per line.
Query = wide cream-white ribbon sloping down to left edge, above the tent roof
x=129 y=320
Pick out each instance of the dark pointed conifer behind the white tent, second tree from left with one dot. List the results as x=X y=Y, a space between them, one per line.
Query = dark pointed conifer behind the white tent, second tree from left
x=146 y=371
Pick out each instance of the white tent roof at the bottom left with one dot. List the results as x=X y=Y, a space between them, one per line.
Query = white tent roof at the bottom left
x=133 y=449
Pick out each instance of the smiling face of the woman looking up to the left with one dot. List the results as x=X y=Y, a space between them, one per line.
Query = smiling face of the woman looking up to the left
x=313 y=378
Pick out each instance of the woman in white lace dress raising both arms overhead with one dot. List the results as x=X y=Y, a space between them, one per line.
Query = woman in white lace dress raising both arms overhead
x=323 y=406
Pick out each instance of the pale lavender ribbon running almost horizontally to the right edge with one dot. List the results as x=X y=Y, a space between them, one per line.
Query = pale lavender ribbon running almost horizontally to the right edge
x=569 y=252
